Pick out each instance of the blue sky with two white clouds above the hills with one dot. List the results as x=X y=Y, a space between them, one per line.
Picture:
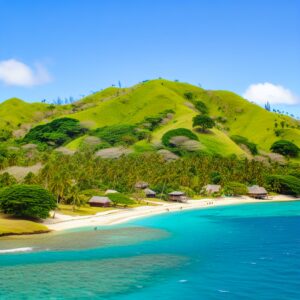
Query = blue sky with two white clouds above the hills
x=55 y=48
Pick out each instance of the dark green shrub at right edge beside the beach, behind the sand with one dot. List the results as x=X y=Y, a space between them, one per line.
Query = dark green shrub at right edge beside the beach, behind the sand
x=284 y=184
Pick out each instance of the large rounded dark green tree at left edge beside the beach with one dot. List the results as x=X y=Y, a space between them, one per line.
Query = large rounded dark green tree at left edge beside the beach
x=31 y=201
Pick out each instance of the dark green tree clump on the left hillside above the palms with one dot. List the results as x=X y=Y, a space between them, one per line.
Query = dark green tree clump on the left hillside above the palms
x=55 y=133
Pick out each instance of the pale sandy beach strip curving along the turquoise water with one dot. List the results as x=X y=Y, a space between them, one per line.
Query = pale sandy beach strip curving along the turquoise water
x=63 y=222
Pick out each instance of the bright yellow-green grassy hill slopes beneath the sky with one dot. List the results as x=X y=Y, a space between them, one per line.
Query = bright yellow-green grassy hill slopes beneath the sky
x=130 y=106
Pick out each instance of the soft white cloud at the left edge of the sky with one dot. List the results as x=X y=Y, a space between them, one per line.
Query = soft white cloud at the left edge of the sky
x=16 y=73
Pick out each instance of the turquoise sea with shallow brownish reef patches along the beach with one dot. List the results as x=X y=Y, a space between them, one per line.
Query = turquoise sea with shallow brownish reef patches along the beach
x=234 y=252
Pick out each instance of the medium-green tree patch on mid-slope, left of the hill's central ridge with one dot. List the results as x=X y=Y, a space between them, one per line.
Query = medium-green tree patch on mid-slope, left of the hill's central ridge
x=120 y=134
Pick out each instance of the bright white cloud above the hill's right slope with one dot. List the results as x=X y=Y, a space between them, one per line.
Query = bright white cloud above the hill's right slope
x=274 y=94
